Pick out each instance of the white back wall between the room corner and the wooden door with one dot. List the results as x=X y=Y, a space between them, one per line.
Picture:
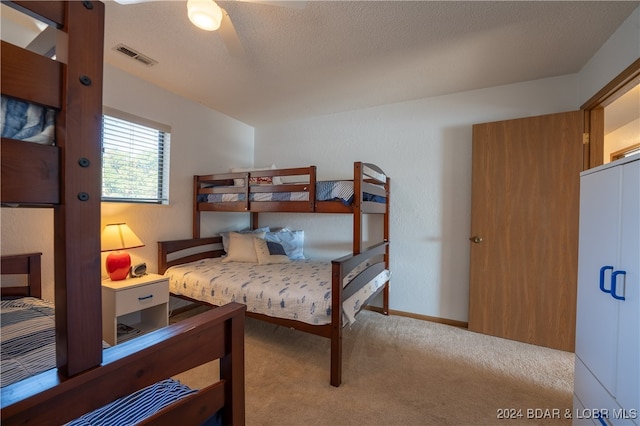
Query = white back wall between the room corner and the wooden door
x=425 y=147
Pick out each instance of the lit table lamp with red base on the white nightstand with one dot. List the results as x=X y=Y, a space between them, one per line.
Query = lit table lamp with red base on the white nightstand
x=117 y=237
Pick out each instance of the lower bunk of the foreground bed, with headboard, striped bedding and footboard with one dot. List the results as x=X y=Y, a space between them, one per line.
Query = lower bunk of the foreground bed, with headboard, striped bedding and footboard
x=139 y=370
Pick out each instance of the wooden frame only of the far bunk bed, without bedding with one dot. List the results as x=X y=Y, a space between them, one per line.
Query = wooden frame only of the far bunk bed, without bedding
x=366 y=179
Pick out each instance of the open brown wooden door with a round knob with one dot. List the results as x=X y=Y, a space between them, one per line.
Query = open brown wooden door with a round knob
x=524 y=229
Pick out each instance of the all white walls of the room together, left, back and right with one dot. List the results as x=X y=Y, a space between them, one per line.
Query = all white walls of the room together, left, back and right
x=424 y=145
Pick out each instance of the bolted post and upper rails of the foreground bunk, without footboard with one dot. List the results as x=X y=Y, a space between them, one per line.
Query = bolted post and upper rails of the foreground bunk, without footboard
x=66 y=176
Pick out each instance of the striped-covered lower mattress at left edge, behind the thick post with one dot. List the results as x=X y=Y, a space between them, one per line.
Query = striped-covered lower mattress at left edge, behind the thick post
x=28 y=343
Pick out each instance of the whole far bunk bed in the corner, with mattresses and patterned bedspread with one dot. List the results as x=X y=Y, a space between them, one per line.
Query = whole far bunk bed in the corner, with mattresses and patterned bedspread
x=352 y=281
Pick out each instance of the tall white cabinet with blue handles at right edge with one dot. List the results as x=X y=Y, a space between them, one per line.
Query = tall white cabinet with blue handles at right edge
x=607 y=372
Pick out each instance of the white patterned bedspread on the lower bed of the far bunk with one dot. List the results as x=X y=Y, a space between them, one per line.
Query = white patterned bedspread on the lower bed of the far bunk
x=299 y=290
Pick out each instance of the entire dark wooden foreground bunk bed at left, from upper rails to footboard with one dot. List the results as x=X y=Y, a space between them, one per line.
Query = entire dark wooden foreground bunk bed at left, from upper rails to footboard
x=64 y=173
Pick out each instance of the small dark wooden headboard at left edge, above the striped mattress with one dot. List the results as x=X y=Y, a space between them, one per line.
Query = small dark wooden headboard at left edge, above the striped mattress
x=23 y=264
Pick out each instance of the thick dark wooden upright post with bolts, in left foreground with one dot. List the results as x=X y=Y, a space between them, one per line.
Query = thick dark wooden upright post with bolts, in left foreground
x=77 y=216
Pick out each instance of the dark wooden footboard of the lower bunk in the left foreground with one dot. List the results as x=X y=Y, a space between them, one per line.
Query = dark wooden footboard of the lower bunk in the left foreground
x=217 y=334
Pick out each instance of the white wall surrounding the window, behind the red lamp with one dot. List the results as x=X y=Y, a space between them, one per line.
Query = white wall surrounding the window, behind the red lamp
x=202 y=141
